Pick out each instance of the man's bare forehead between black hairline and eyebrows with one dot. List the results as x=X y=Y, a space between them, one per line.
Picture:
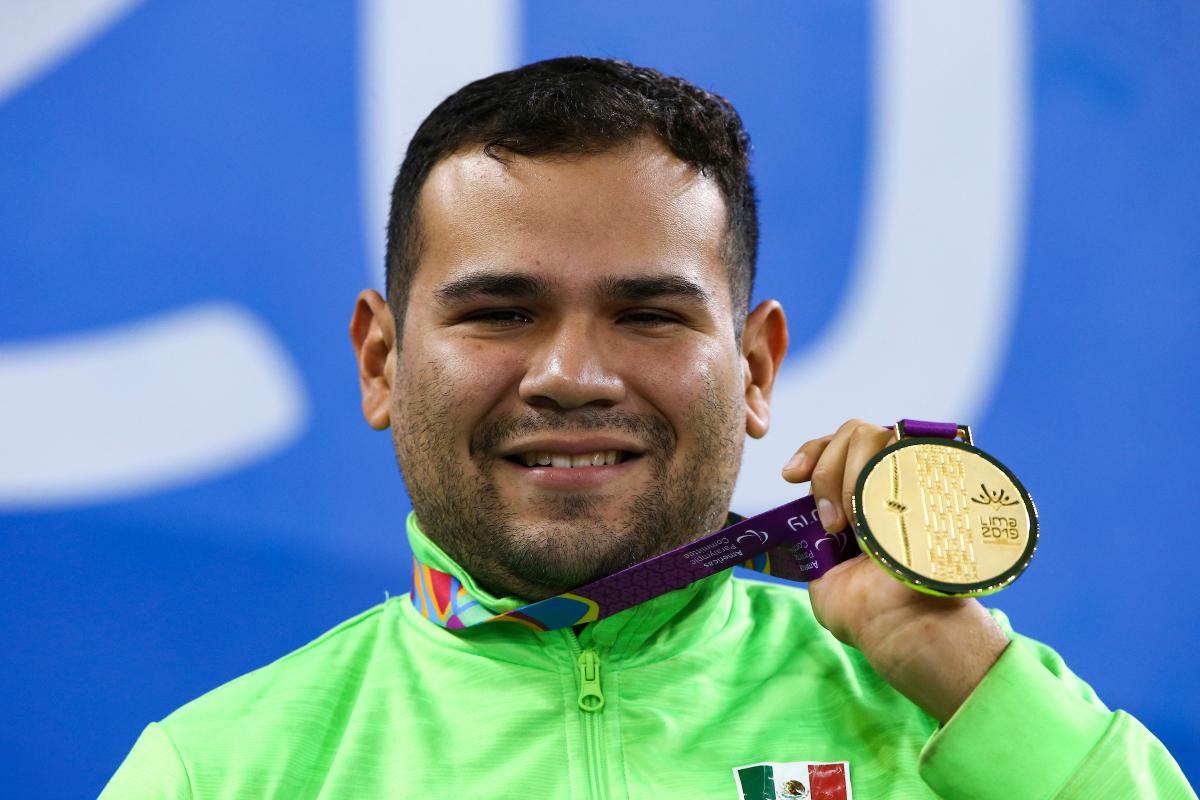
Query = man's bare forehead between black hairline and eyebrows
x=638 y=209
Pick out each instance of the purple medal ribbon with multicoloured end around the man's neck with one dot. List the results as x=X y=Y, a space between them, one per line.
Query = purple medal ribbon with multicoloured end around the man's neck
x=788 y=543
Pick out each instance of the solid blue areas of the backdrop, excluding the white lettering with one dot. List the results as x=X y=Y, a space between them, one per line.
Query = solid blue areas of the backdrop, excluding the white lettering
x=211 y=153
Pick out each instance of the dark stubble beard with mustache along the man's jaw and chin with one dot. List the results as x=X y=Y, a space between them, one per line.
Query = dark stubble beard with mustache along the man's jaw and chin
x=472 y=522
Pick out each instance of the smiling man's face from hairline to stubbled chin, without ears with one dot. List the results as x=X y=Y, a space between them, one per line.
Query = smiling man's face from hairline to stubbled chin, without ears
x=568 y=393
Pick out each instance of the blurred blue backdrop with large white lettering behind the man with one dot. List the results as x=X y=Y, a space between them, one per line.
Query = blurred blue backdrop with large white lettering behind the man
x=982 y=214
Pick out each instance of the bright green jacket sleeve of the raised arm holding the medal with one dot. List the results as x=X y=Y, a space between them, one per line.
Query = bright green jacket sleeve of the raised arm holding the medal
x=1034 y=730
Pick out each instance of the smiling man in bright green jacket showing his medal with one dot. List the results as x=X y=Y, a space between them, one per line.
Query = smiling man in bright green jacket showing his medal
x=568 y=365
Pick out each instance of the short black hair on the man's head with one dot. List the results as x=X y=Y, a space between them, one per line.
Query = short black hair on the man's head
x=581 y=106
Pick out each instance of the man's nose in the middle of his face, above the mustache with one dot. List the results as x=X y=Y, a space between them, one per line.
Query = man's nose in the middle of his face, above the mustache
x=571 y=369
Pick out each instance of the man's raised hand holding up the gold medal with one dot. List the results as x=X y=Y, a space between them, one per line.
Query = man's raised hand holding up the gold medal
x=934 y=651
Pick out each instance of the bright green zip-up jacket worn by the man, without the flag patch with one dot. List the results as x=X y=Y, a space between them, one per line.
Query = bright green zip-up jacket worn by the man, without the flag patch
x=725 y=673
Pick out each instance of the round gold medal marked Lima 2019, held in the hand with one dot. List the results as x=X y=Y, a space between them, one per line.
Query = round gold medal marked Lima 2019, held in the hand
x=943 y=516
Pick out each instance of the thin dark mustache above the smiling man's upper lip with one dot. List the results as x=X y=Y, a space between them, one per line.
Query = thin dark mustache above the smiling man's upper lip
x=651 y=431
